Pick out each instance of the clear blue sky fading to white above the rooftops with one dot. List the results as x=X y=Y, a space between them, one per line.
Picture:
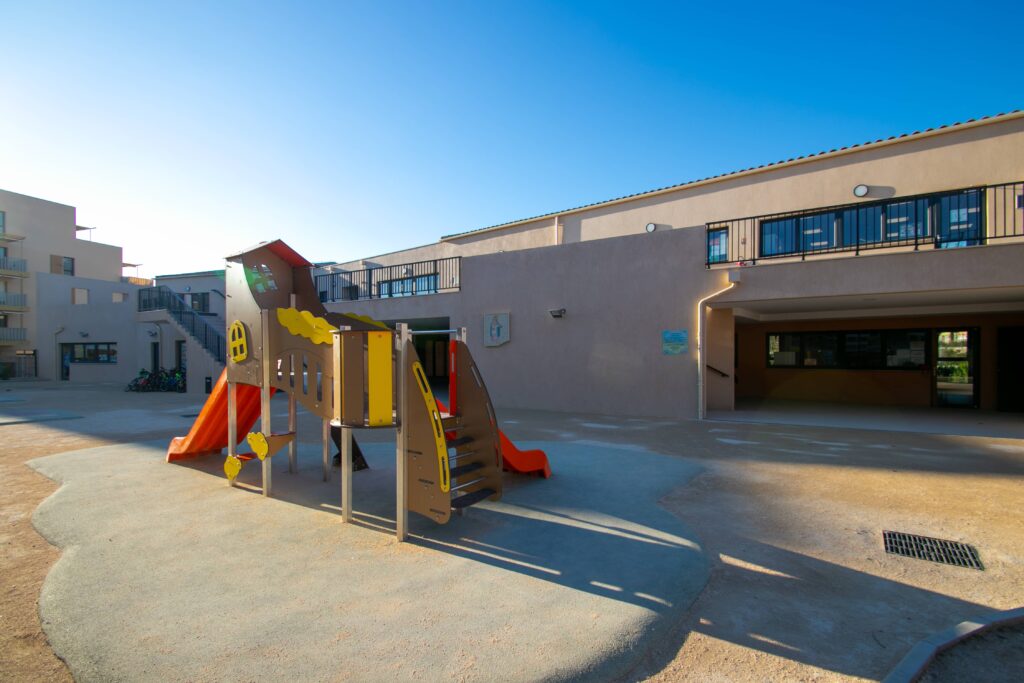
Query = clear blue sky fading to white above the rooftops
x=185 y=132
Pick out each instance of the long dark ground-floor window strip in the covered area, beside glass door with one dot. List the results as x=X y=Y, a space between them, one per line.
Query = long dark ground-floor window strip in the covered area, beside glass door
x=875 y=350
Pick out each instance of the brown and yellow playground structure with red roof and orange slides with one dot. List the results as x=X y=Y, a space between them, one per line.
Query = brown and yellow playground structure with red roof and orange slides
x=352 y=372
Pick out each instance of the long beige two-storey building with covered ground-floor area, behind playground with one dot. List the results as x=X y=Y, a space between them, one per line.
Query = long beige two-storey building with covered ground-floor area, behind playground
x=887 y=273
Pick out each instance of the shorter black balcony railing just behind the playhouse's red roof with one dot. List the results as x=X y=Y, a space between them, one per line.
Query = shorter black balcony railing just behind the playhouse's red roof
x=388 y=282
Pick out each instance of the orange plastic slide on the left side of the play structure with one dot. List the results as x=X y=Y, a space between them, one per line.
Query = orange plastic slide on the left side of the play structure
x=209 y=434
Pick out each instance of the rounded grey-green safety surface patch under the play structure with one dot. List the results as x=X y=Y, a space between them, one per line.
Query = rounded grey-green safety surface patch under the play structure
x=169 y=575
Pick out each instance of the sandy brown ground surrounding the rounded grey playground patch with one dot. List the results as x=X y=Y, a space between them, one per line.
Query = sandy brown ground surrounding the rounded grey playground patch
x=790 y=518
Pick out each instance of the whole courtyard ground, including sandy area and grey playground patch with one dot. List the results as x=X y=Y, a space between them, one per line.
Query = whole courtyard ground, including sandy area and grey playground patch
x=659 y=551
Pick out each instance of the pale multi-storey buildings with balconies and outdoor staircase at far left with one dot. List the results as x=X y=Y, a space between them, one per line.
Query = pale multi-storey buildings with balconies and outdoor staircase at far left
x=68 y=314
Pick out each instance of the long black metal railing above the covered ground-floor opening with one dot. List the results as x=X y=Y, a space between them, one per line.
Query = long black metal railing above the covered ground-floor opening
x=958 y=219
